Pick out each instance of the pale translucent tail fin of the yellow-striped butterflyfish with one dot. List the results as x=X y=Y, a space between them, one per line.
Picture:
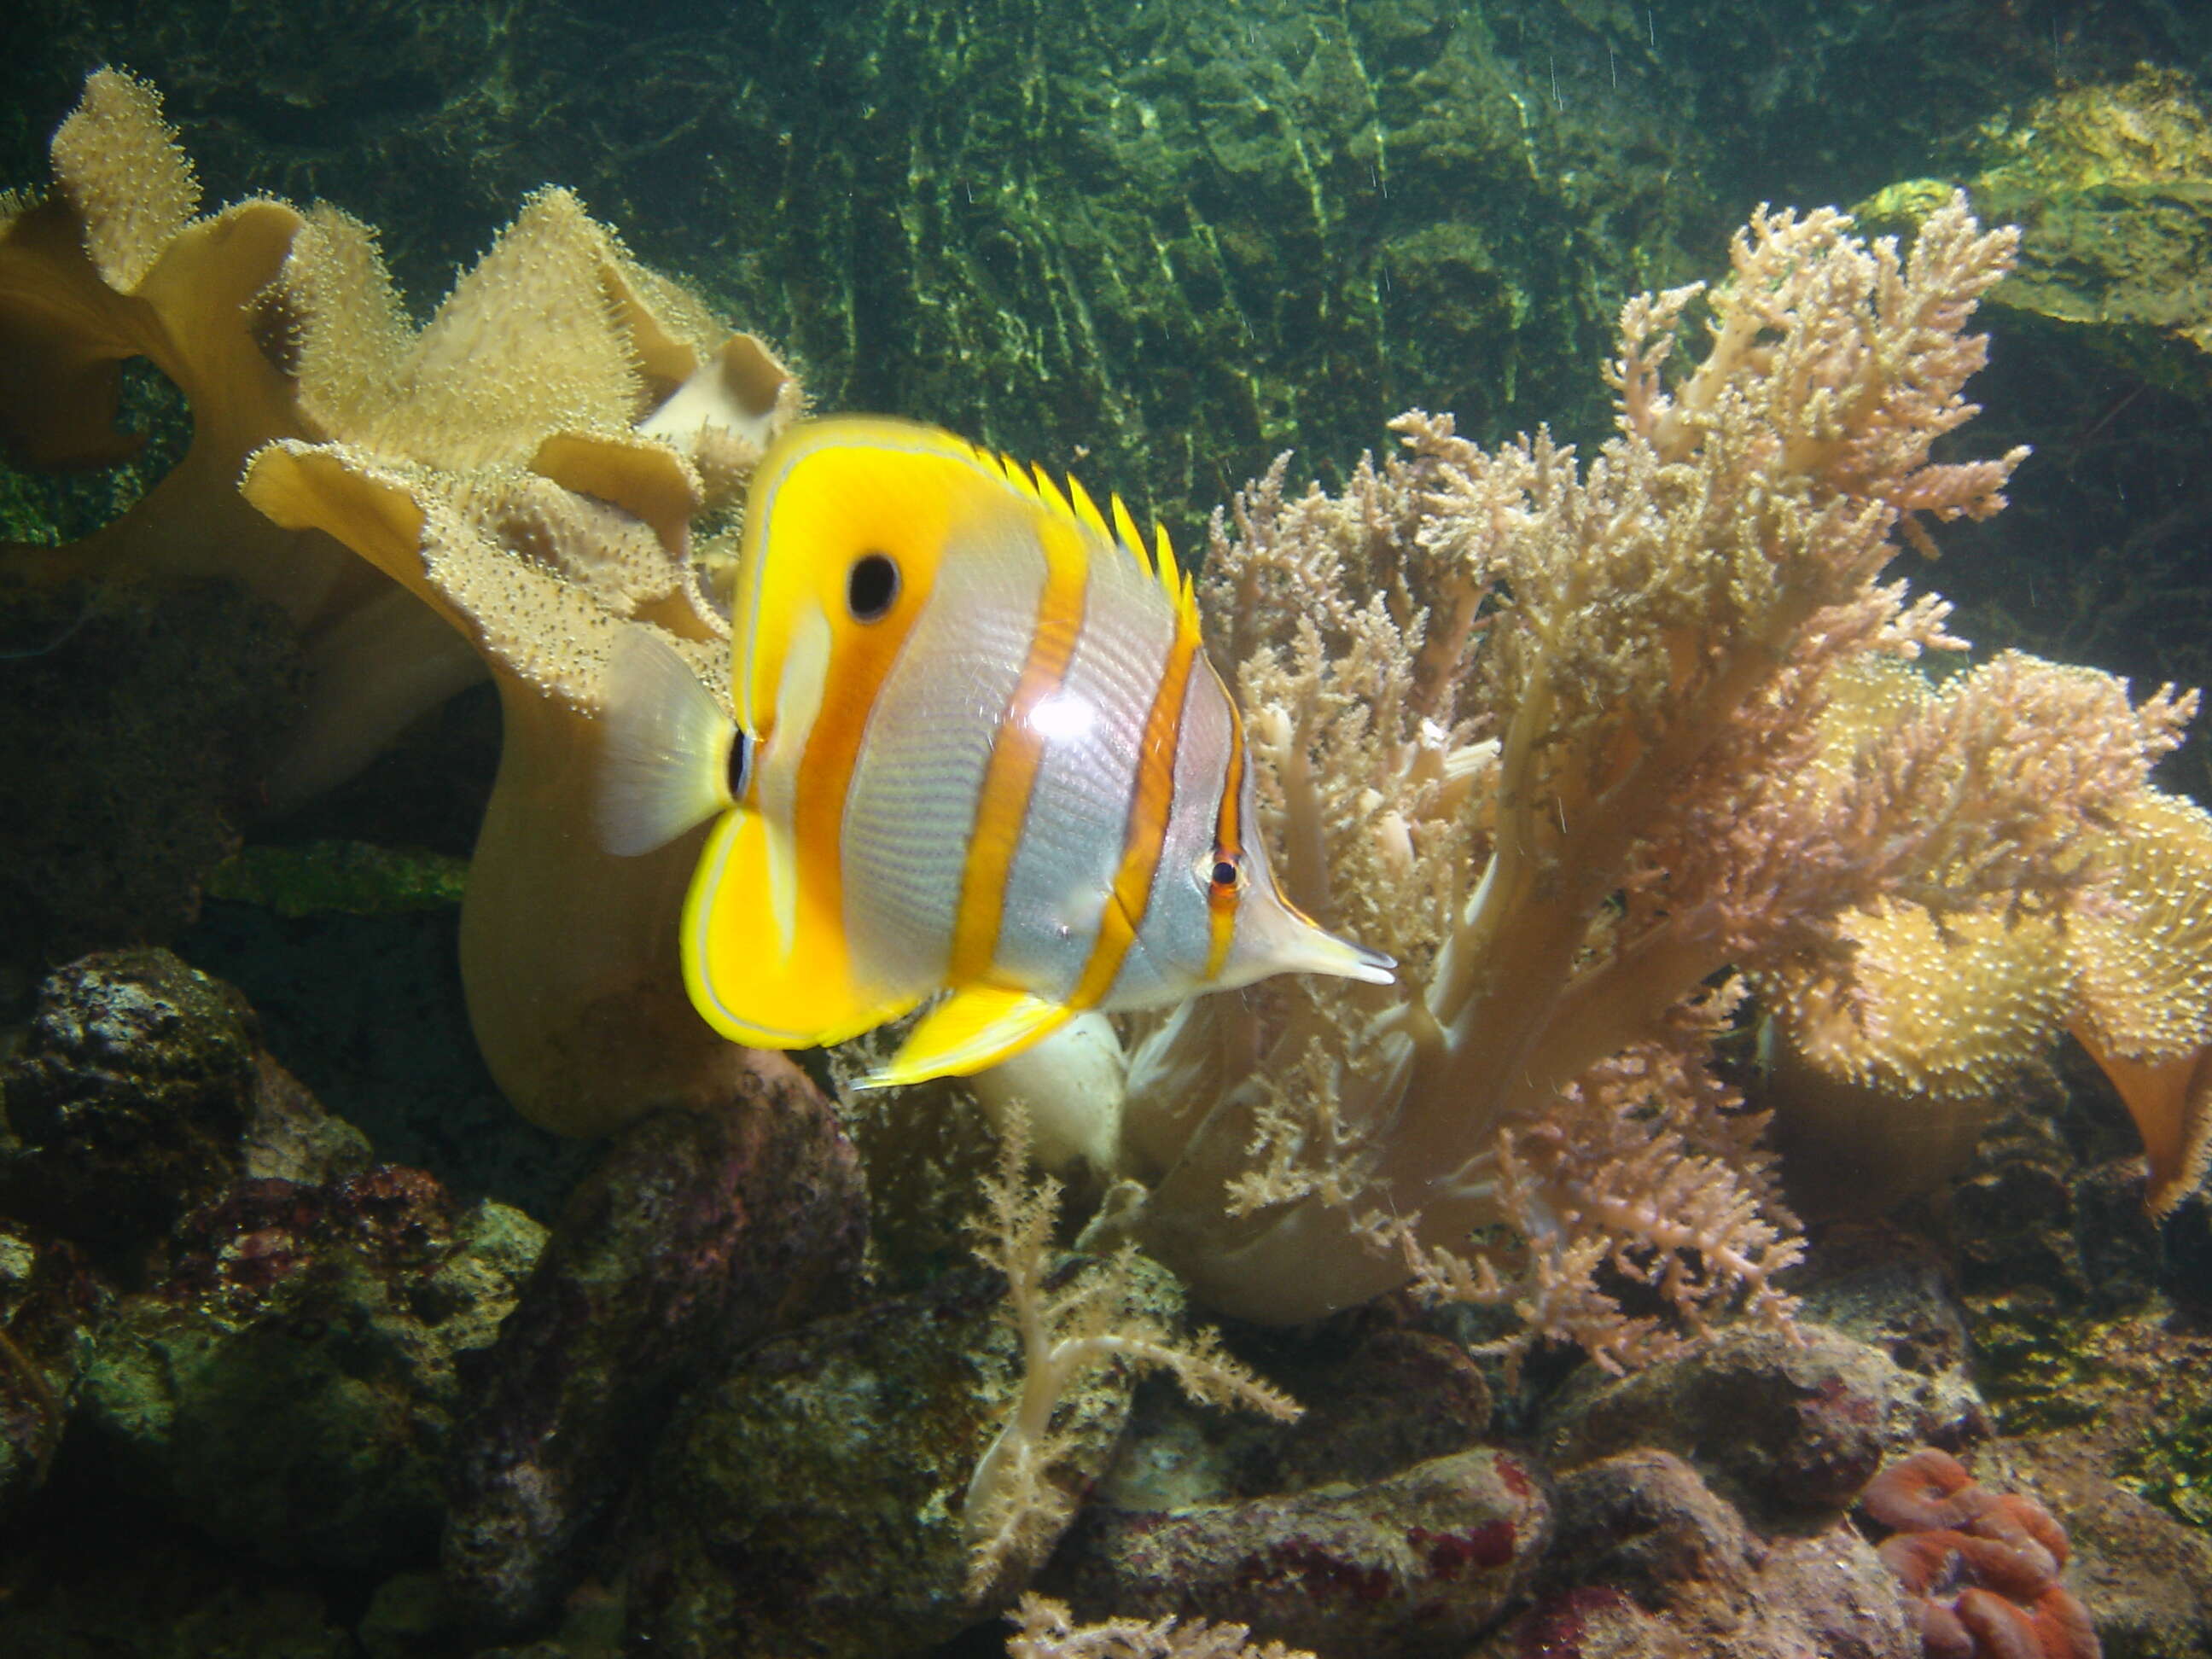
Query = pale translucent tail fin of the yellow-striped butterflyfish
x=669 y=742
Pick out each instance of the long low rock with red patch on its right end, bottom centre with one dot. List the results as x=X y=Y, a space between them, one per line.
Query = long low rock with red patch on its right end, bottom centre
x=1412 y=1565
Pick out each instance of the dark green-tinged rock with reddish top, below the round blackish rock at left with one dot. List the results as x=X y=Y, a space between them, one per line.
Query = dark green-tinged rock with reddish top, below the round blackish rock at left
x=289 y=1386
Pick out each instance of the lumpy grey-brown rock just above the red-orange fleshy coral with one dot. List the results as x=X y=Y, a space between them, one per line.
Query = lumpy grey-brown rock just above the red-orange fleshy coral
x=1788 y=1430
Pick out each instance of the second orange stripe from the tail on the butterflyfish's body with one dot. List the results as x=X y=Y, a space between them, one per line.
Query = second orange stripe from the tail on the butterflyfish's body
x=1016 y=755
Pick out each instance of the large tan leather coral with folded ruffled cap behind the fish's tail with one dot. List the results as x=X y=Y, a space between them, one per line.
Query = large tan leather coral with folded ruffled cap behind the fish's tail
x=505 y=488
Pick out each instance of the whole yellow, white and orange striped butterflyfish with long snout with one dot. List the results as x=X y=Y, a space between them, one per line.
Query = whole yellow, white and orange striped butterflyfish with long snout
x=979 y=751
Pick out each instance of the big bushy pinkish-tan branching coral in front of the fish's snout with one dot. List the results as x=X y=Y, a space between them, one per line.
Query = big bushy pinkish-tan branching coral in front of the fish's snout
x=1569 y=766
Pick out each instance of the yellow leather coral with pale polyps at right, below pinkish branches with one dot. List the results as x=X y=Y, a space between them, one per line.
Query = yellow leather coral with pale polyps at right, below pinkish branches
x=1892 y=1061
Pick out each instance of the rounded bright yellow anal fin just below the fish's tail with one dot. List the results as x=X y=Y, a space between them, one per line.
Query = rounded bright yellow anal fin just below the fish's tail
x=753 y=981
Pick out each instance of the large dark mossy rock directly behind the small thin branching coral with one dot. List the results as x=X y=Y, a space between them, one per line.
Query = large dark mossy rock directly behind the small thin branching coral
x=808 y=1503
